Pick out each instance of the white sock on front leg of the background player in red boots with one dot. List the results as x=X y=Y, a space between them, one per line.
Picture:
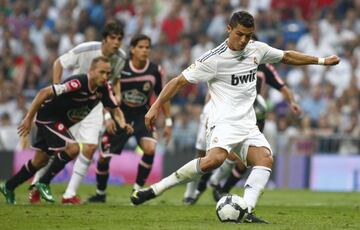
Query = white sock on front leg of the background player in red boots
x=79 y=172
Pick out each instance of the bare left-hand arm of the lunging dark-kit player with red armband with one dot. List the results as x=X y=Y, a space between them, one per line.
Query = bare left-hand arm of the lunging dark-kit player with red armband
x=41 y=96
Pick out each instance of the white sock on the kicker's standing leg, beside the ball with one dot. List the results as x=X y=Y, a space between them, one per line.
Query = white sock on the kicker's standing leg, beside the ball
x=255 y=184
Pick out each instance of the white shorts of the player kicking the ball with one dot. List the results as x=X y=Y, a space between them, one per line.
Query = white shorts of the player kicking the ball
x=236 y=140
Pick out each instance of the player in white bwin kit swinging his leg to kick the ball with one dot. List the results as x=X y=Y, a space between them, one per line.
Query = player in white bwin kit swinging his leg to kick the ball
x=230 y=71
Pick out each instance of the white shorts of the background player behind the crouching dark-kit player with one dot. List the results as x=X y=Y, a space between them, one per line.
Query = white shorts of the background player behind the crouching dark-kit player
x=88 y=130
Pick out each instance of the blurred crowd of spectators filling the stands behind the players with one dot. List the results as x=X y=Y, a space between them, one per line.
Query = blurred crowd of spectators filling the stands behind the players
x=34 y=33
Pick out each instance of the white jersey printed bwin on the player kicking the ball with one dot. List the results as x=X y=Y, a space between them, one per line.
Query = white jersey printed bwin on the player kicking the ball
x=231 y=78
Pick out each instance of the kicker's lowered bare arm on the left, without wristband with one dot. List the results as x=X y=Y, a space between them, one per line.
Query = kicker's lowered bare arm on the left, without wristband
x=170 y=89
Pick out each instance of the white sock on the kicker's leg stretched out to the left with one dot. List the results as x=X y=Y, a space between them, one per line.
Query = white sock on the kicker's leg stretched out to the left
x=186 y=173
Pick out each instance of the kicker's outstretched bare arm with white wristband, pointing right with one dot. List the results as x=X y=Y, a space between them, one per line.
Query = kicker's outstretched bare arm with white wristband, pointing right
x=296 y=58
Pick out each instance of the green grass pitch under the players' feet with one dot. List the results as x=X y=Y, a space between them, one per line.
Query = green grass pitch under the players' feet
x=285 y=209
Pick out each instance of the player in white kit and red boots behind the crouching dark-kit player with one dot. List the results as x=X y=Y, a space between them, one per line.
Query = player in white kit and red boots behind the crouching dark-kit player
x=88 y=130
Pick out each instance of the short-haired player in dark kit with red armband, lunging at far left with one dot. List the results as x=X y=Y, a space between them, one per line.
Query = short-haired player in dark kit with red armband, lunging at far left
x=58 y=107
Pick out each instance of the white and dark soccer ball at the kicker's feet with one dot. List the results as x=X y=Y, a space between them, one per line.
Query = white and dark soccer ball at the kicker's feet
x=231 y=208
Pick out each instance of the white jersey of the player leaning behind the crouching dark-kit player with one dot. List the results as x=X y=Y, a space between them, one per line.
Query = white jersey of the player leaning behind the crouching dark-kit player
x=80 y=57
